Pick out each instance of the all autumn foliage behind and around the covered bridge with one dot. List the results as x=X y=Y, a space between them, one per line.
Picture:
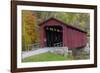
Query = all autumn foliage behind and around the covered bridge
x=32 y=19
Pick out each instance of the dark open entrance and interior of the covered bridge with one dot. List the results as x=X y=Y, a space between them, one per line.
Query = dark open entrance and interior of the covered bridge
x=54 y=36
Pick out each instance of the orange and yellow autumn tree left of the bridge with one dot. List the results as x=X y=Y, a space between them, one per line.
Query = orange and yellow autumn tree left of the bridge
x=29 y=29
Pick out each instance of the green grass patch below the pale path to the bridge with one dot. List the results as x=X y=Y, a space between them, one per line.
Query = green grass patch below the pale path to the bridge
x=47 y=57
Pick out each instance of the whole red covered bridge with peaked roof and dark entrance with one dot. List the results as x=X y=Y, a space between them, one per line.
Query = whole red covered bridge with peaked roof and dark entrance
x=54 y=33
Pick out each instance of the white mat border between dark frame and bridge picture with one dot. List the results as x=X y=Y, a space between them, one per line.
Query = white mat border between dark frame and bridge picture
x=53 y=63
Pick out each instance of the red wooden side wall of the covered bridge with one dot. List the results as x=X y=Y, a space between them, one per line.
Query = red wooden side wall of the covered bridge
x=75 y=38
